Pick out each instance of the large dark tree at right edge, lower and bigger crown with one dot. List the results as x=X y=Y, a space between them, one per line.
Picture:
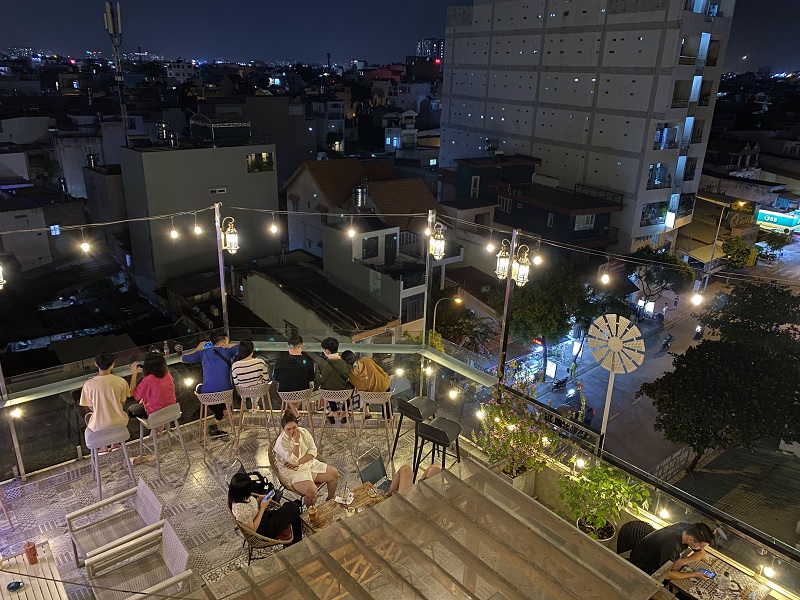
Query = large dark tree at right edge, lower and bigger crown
x=723 y=395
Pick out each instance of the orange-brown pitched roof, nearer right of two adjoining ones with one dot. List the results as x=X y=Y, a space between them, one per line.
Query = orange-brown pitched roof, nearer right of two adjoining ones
x=403 y=196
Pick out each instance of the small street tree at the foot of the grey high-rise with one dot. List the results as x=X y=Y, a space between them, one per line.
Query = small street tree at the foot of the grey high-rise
x=656 y=271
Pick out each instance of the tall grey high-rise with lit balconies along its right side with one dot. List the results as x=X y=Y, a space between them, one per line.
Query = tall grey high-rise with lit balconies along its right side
x=610 y=94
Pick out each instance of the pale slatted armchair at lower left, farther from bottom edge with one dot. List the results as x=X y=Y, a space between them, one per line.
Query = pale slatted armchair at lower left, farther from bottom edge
x=91 y=535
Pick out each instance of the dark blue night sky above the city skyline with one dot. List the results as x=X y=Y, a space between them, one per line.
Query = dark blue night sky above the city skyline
x=377 y=31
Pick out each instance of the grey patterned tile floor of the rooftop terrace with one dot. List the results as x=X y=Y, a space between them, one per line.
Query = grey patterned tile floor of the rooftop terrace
x=194 y=496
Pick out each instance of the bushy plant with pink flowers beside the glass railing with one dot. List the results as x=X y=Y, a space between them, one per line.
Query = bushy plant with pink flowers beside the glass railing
x=514 y=435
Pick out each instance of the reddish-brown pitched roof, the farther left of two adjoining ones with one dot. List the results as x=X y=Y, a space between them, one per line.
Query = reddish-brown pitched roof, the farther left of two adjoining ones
x=337 y=178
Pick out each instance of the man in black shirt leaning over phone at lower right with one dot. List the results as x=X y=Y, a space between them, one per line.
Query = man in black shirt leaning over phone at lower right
x=667 y=544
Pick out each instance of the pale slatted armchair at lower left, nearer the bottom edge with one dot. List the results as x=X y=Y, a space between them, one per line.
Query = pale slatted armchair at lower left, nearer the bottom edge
x=155 y=564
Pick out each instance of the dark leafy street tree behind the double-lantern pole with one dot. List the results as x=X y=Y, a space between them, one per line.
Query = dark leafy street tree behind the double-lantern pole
x=544 y=307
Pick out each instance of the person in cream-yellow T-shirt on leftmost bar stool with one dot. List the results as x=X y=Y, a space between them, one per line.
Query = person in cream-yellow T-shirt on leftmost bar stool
x=104 y=396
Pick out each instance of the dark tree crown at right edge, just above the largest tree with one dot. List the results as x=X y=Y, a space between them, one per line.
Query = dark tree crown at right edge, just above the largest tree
x=748 y=313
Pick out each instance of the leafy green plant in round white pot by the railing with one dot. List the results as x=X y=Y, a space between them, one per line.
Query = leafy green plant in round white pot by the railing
x=597 y=495
